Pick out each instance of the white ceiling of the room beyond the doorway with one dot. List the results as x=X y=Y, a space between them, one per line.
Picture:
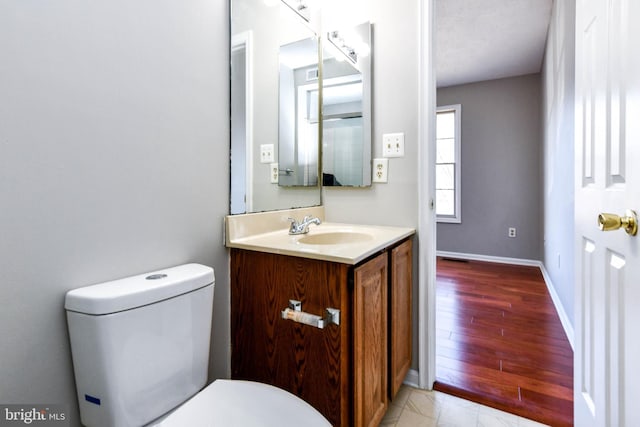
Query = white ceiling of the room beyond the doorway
x=480 y=40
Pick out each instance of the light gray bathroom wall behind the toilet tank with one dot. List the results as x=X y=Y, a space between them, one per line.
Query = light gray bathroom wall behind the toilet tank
x=114 y=139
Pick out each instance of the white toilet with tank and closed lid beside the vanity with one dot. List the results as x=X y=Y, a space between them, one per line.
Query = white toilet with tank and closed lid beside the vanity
x=140 y=350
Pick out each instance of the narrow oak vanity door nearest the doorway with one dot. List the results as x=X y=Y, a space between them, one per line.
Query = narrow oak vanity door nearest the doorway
x=400 y=320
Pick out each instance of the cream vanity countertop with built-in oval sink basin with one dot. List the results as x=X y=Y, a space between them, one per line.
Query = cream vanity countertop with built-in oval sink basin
x=357 y=242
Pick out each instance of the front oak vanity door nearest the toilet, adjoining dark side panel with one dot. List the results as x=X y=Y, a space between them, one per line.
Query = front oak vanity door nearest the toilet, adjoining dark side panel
x=370 y=341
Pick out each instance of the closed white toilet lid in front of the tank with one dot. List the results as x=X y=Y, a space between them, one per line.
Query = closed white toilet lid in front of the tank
x=243 y=404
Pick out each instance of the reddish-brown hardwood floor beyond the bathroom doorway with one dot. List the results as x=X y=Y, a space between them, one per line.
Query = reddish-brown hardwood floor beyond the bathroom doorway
x=500 y=341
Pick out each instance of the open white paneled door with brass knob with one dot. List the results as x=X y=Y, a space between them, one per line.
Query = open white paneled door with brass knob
x=607 y=308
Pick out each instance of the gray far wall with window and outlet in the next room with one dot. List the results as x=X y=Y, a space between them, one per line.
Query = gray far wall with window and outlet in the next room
x=501 y=168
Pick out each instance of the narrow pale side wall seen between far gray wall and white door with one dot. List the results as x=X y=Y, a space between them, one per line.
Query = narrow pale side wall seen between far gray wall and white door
x=558 y=119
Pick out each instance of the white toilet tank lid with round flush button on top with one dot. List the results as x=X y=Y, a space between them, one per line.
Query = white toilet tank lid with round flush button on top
x=136 y=291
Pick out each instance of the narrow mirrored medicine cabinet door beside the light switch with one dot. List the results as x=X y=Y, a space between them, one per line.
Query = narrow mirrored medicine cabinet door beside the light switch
x=346 y=107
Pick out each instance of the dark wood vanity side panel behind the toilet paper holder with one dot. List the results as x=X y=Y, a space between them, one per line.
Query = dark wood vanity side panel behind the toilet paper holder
x=309 y=362
